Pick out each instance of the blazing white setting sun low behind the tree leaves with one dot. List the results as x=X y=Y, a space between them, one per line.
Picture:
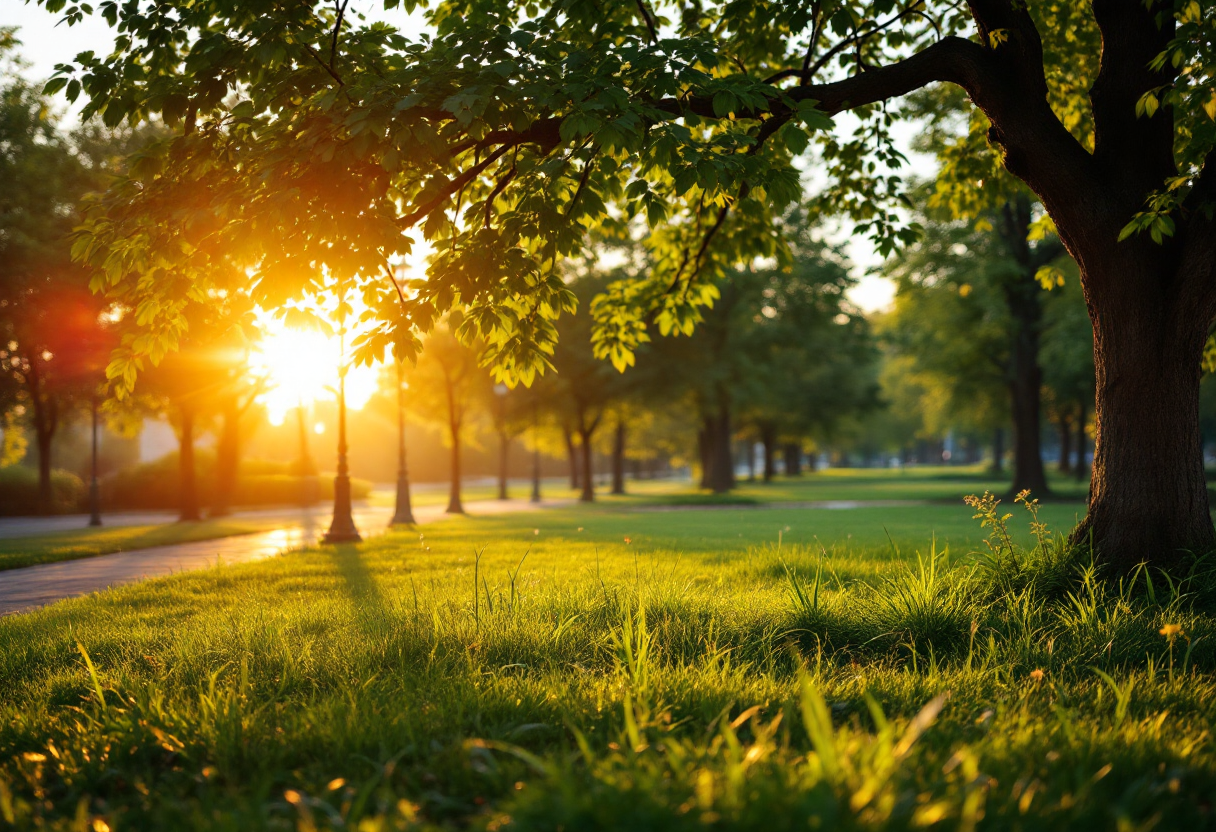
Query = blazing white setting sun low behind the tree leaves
x=302 y=369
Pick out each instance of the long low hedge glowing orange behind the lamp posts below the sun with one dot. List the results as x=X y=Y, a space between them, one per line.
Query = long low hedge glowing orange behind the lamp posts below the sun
x=261 y=484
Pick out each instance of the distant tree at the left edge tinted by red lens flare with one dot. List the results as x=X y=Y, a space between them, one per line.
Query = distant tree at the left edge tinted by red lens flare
x=53 y=341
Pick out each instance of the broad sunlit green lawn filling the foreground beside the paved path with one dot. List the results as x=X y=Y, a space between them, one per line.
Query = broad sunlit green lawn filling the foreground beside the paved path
x=623 y=668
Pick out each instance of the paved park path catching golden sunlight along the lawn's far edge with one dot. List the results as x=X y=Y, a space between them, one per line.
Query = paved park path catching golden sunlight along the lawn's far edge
x=30 y=588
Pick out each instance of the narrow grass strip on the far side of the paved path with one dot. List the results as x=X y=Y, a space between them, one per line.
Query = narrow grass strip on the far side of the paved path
x=89 y=543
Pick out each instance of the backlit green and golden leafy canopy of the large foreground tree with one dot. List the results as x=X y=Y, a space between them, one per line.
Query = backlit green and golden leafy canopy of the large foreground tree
x=313 y=144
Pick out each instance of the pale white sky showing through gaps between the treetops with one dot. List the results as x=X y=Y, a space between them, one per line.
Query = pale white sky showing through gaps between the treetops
x=47 y=43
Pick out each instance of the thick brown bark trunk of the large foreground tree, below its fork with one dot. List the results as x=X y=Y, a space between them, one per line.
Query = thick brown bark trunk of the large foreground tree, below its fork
x=1149 y=497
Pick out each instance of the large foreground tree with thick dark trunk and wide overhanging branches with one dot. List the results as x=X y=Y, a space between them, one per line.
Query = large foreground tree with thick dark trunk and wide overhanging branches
x=504 y=138
